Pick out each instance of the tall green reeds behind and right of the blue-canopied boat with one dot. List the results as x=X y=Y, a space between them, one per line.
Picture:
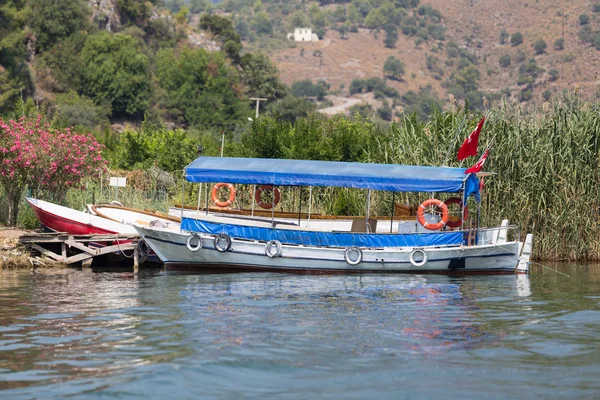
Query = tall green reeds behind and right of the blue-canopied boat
x=546 y=163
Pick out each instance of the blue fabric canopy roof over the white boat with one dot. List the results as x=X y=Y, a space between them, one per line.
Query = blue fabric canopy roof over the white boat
x=263 y=171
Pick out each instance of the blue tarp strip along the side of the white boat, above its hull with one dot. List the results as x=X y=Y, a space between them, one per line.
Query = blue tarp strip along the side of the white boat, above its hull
x=337 y=239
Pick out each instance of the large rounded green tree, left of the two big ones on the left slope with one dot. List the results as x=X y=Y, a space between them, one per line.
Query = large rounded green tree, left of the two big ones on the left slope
x=116 y=70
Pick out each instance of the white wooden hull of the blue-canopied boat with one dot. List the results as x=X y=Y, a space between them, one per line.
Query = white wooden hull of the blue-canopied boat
x=250 y=255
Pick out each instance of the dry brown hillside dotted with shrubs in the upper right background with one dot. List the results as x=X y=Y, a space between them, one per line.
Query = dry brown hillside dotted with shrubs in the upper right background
x=474 y=27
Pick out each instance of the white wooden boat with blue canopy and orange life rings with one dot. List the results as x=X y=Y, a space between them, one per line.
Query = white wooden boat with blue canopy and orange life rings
x=211 y=241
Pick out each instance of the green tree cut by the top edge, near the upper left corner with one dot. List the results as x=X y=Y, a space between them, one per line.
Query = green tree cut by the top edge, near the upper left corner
x=54 y=20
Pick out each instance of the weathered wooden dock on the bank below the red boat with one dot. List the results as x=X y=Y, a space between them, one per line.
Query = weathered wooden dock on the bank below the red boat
x=73 y=249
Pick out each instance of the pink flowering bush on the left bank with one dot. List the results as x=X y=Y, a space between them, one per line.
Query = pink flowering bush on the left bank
x=34 y=155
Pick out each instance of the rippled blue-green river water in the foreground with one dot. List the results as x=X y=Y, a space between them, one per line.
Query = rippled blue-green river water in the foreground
x=282 y=336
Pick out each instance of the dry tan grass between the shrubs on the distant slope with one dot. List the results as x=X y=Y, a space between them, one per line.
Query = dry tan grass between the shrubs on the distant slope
x=477 y=22
